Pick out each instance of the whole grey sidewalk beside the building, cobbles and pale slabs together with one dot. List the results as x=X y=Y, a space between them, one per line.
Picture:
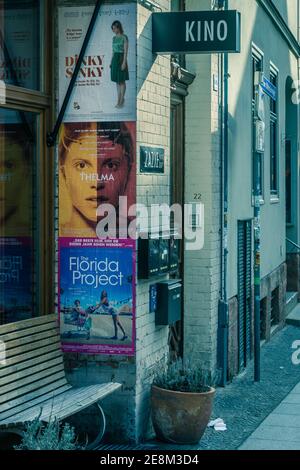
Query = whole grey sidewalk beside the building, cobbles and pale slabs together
x=267 y=411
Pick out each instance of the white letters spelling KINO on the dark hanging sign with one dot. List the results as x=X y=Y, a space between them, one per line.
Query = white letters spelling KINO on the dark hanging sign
x=206 y=31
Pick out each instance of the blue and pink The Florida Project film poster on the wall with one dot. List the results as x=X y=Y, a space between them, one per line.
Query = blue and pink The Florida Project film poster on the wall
x=96 y=297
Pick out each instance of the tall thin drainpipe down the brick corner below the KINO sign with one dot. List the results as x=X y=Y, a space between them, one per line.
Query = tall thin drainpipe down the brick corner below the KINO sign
x=223 y=317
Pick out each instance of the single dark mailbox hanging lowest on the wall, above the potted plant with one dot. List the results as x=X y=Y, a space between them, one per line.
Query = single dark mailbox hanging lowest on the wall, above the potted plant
x=169 y=299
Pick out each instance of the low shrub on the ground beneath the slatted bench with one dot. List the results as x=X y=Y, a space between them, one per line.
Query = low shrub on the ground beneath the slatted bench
x=48 y=436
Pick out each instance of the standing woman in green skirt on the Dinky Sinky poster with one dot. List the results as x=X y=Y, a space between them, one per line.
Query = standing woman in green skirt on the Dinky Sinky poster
x=119 y=67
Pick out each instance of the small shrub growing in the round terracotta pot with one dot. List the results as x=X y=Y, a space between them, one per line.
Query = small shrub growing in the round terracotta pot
x=182 y=376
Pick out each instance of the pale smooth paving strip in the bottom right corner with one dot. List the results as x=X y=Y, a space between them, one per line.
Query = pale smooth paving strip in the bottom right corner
x=281 y=429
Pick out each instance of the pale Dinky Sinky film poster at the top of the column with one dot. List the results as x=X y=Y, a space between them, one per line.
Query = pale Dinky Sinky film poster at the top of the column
x=106 y=85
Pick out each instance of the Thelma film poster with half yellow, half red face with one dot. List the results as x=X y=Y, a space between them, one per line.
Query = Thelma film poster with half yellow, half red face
x=97 y=166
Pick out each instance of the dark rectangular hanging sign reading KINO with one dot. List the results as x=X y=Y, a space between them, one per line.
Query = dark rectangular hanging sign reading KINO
x=196 y=32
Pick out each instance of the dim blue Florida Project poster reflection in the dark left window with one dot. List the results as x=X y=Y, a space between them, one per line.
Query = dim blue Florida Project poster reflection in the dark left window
x=16 y=283
